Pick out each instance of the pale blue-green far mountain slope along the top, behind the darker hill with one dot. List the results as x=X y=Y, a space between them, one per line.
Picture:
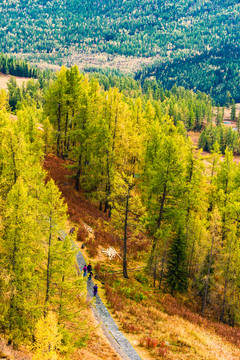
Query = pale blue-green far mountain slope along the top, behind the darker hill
x=130 y=27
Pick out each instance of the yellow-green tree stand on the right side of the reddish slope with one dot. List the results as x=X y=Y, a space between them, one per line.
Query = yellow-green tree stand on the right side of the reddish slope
x=133 y=156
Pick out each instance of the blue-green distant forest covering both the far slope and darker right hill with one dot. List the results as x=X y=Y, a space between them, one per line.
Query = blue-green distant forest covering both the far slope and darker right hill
x=192 y=44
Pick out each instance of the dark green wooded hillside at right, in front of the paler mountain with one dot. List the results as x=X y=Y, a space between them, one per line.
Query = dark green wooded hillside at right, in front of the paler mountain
x=215 y=72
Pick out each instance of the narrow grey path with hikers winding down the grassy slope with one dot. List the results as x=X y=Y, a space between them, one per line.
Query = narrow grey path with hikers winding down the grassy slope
x=114 y=335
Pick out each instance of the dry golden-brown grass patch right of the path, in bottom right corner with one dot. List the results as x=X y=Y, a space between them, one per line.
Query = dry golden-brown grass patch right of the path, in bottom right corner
x=167 y=329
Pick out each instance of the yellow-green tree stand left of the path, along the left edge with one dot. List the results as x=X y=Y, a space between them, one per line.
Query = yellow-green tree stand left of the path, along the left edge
x=38 y=281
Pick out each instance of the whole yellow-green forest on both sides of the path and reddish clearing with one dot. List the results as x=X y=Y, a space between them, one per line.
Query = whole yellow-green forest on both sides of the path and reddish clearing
x=131 y=155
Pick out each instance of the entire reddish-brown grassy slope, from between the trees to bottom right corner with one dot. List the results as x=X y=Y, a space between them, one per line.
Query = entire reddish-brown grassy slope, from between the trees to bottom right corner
x=158 y=325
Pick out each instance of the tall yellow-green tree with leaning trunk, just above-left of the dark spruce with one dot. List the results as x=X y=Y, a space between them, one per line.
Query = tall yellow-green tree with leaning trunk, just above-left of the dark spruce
x=163 y=176
